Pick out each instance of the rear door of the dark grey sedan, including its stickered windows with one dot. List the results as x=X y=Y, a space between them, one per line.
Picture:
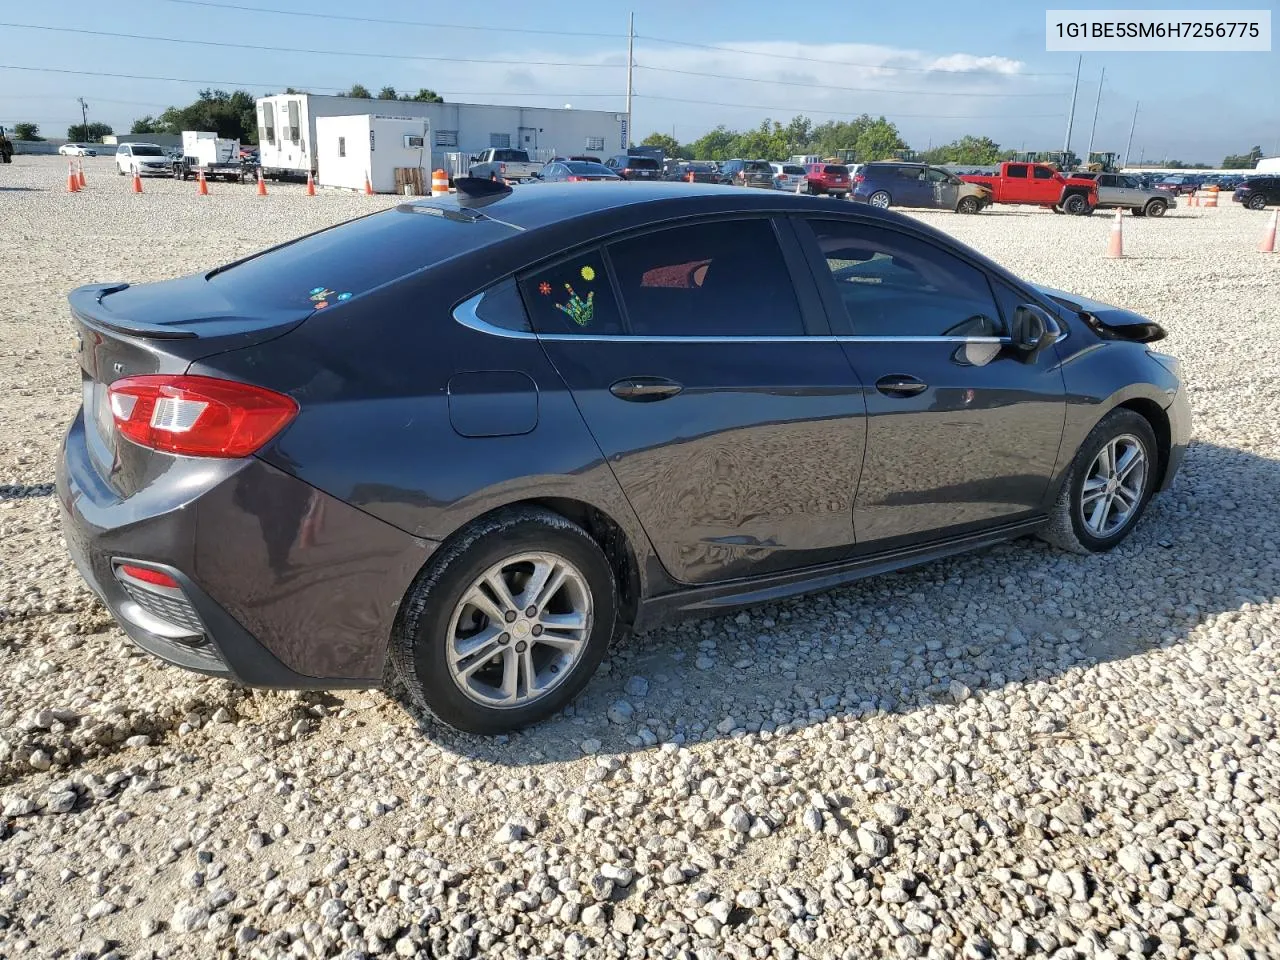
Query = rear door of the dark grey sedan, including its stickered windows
x=734 y=433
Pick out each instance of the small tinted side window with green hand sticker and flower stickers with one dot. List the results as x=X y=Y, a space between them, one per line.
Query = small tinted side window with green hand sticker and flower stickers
x=573 y=296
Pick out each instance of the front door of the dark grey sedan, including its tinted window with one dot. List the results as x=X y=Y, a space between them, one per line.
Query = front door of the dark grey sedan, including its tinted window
x=962 y=432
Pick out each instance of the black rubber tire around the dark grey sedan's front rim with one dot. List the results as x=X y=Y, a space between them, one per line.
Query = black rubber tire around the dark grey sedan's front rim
x=1067 y=528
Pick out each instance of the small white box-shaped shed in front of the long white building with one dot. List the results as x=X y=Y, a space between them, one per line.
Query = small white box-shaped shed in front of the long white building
x=350 y=149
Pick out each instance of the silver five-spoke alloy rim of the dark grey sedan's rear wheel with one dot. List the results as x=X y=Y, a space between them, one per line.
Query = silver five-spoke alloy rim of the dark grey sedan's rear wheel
x=519 y=630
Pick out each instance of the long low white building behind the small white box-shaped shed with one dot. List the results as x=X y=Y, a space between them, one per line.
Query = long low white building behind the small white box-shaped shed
x=287 y=130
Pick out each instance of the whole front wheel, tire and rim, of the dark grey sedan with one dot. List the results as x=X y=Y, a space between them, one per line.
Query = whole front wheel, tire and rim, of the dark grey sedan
x=1109 y=486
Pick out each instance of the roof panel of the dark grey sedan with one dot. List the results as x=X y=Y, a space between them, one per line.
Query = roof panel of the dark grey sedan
x=546 y=204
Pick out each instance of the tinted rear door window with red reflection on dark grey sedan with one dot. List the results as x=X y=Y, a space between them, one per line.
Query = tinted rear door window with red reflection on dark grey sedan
x=726 y=278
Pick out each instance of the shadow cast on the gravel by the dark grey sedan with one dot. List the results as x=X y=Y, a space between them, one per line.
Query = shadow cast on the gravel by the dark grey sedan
x=1016 y=615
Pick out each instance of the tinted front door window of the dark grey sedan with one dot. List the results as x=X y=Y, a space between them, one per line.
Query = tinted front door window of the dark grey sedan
x=895 y=286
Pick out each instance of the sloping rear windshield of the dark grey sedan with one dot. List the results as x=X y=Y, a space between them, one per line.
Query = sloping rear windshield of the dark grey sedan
x=332 y=267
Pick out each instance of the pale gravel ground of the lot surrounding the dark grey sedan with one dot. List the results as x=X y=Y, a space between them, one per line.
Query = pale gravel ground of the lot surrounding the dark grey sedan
x=1012 y=755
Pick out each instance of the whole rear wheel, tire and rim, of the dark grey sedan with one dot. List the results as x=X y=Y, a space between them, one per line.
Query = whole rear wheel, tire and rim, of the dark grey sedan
x=509 y=624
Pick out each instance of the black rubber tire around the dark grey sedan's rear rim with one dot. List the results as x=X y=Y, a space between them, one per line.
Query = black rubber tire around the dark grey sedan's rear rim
x=419 y=643
